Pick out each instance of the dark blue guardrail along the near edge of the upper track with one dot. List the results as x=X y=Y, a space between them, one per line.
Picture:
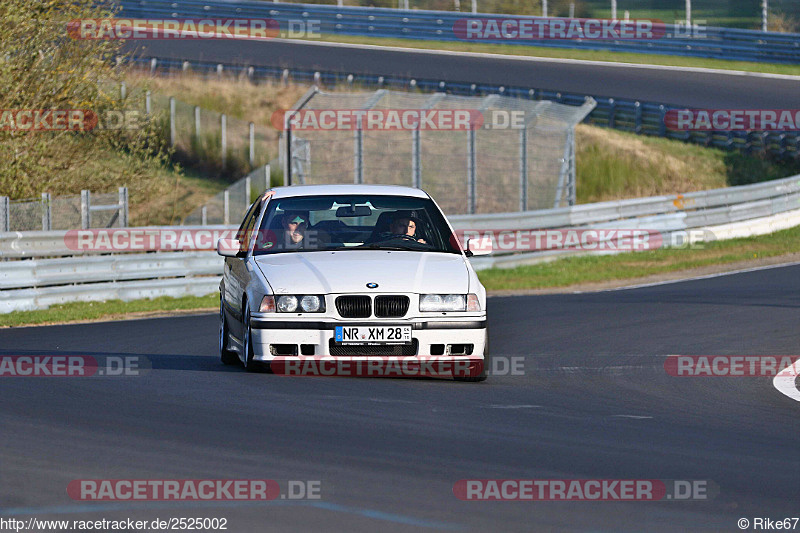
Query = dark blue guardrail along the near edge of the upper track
x=646 y=118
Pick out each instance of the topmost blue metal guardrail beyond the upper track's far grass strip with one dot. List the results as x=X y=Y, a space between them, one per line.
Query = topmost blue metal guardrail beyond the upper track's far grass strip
x=711 y=42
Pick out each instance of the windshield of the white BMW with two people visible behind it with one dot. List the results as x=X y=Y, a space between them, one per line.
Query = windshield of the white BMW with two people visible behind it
x=354 y=222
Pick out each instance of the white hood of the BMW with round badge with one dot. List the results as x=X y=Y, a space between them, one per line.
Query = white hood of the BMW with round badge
x=350 y=271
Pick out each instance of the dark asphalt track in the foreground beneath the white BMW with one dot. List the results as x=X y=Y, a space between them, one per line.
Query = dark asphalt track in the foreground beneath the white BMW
x=594 y=403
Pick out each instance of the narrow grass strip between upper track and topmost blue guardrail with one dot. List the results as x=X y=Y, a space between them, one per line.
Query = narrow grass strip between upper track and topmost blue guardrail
x=561 y=53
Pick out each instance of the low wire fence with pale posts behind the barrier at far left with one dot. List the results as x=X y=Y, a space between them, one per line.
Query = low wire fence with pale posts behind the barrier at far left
x=89 y=210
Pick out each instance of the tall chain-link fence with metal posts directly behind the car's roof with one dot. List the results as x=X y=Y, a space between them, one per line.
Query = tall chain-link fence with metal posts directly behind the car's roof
x=504 y=155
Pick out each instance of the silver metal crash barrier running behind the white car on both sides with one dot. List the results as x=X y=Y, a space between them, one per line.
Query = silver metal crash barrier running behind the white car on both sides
x=36 y=283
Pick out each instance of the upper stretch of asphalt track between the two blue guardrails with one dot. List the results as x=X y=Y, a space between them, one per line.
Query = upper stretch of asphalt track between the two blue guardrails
x=708 y=90
